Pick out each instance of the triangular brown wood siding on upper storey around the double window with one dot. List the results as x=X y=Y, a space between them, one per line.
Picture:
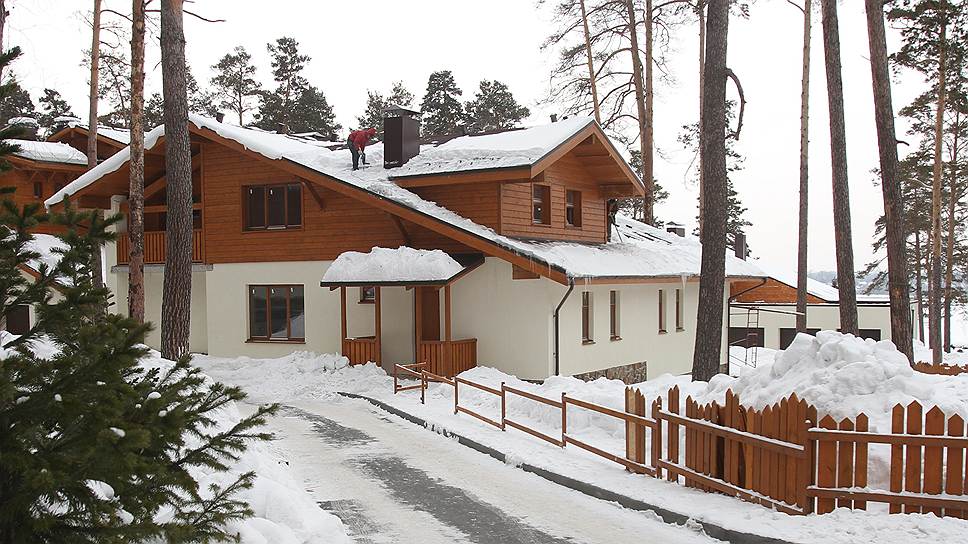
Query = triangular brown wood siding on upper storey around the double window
x=340 y=223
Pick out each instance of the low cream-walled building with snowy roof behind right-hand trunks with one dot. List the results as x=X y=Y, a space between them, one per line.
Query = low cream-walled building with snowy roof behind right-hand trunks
x=763 y=312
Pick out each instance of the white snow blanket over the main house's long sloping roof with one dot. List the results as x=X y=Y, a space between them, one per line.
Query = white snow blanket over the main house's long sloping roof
x=637 y=251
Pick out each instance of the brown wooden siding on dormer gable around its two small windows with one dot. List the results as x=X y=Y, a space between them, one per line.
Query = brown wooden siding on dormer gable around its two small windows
x=566 y=174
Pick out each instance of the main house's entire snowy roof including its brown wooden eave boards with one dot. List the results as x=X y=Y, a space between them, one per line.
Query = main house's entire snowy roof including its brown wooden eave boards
x=637 y=252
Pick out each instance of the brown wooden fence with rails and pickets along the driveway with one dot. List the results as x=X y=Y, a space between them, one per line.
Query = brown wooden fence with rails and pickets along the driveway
x=780 y=456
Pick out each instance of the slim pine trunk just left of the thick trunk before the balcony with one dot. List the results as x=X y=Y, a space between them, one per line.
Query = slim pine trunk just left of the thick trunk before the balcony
x=136 y=186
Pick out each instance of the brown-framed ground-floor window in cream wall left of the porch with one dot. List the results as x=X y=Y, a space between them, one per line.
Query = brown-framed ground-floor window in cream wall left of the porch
x=276 y=313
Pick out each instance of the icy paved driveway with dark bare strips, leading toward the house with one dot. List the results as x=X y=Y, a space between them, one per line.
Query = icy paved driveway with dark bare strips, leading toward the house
x=390 y=481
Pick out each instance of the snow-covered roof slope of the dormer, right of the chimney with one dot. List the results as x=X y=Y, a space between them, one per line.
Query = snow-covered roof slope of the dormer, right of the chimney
x=501 y=150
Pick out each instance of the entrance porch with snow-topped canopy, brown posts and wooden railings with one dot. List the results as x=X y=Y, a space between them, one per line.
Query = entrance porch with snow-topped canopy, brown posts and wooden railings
x=424 y=271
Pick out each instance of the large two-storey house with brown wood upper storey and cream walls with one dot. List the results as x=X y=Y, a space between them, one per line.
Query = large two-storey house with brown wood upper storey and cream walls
x=495 y=249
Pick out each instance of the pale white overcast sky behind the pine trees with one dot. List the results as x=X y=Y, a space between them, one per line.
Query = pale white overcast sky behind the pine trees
x=357 y=46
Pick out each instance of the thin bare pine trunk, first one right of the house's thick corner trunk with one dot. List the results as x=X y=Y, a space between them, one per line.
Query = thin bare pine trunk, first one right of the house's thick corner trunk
x=804 y=172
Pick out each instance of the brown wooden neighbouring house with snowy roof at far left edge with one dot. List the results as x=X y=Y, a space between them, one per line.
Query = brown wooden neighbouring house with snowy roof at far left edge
x=40 y=169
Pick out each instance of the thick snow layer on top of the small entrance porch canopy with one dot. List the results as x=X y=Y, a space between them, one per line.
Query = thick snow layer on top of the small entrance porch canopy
x=387 y=265
